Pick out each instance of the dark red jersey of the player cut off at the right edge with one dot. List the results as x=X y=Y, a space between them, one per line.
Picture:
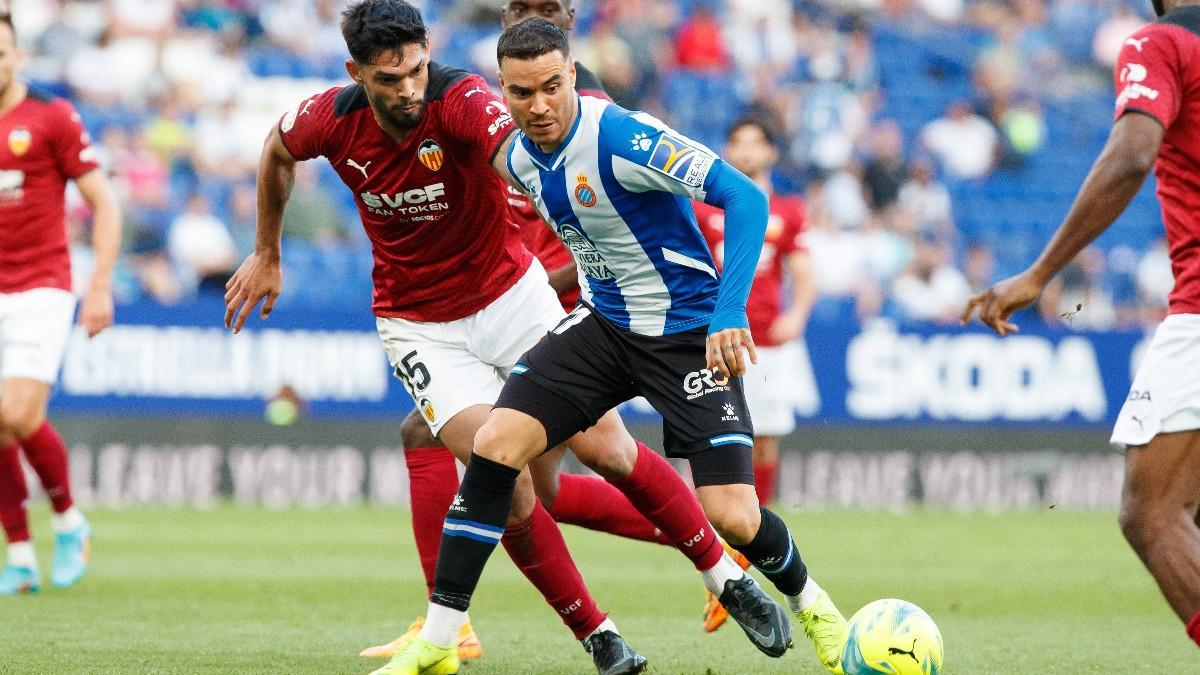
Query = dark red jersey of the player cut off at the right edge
x=1159 y=74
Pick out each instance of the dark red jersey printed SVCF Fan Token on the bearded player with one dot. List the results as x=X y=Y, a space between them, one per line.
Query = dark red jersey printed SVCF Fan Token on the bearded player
x=433 y=206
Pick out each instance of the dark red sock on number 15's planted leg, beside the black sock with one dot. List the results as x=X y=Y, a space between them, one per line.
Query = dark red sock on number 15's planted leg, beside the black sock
x=539 y=552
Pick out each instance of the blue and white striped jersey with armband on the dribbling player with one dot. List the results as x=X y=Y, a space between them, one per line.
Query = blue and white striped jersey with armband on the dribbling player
x=617 y=193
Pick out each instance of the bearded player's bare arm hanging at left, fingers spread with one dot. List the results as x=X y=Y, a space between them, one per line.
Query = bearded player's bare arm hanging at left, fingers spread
x=261 y=276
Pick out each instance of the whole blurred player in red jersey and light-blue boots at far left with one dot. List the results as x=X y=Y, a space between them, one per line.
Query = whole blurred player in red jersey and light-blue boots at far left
x=45 y=147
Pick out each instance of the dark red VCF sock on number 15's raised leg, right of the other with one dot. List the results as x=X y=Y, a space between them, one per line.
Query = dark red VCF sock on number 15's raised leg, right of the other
x=665 y=500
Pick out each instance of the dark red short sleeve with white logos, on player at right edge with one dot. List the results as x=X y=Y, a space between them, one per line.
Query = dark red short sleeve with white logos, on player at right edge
x=1149 y=74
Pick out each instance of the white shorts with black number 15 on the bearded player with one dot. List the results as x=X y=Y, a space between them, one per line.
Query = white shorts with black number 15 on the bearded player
x=451 y=367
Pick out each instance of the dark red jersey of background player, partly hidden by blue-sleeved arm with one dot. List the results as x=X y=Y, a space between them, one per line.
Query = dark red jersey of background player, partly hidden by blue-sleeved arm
x=785 y=236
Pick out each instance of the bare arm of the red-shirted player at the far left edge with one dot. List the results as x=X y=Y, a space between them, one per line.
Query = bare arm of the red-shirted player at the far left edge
x=97 y=310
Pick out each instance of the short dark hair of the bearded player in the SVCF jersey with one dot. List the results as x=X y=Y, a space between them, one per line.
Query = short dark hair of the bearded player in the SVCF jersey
x=376 y=27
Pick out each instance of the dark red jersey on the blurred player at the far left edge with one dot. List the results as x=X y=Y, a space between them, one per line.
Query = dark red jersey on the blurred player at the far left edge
x=43 y=146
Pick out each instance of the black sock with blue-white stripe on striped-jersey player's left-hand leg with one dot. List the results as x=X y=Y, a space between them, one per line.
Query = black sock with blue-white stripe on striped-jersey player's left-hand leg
x=473 y=528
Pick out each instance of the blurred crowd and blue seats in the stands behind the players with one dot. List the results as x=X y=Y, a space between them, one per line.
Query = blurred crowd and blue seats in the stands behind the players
x=938 y=144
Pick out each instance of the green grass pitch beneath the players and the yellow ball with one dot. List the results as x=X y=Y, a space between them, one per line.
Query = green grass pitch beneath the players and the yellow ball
x=251 y=592
